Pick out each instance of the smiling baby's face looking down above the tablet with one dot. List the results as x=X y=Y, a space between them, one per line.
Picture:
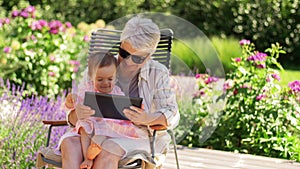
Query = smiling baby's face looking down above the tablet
x=104 y=78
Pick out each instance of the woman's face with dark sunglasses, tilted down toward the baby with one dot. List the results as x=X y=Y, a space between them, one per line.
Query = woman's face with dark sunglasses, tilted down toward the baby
x=128 y=63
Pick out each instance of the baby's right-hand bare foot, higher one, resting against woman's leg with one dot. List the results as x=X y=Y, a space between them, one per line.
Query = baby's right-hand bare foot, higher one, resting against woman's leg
x=95 y=147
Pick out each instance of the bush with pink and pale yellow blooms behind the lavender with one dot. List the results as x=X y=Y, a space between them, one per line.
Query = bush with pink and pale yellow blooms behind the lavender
x=41 y=53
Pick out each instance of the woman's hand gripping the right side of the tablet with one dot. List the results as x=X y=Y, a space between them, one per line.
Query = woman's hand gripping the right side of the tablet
x=139 y=117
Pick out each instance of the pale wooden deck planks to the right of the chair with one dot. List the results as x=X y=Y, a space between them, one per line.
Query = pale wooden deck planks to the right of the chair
x=199 y=158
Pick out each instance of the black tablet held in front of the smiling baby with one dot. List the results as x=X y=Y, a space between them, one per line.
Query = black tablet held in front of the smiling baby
x=109 y=105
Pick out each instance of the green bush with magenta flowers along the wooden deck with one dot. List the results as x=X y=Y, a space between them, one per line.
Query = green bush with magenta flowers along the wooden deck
x=260 y=117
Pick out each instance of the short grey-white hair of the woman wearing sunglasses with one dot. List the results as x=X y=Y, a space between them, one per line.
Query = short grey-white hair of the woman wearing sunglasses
x=141 y=33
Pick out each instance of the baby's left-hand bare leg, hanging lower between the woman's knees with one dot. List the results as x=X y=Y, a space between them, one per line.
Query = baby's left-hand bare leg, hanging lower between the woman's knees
x=85 y=142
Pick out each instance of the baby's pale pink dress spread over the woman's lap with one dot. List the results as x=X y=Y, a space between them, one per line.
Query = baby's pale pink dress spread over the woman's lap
x=113 y=128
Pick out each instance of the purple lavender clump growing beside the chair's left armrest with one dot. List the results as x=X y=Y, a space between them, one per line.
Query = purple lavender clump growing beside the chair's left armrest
x=20 y=121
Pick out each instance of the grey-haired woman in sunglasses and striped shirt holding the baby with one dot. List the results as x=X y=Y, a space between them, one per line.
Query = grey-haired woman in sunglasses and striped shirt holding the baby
x=139 y=76
